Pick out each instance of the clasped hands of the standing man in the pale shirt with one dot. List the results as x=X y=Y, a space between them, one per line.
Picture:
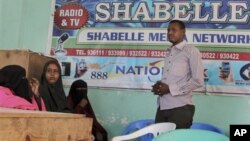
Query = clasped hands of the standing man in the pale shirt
x=160 y=88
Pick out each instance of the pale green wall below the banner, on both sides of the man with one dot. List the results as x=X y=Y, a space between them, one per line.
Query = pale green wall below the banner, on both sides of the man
x=116 y=108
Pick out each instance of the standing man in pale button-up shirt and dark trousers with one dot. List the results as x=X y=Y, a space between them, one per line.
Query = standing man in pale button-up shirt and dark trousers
x=183 y=73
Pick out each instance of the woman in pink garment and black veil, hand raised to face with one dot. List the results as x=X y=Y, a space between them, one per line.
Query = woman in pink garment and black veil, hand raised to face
x=17 y=92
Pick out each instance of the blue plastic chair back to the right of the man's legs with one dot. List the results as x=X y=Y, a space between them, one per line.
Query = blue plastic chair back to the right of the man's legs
x=206 y=126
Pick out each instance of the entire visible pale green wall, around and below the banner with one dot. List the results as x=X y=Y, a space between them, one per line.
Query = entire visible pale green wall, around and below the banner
x=25 y=24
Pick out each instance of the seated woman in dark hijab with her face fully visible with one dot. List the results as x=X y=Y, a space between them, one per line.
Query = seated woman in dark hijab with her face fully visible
x=51 y=88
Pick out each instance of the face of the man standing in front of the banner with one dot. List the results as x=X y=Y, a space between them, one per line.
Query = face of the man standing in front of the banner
x=175 y=33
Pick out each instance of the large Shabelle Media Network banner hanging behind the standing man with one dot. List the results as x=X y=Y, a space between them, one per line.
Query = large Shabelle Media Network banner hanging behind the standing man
x=121 y=44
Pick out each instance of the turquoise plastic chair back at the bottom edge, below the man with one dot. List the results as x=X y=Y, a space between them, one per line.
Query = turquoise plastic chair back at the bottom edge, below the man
x=191 y=135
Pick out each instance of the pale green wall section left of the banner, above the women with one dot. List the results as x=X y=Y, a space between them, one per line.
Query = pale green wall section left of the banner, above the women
x=26 y=24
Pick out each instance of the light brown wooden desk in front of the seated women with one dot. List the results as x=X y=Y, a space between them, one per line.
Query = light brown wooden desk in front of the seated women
x=25 y=125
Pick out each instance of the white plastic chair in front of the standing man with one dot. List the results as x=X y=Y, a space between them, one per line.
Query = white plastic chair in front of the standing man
x=155 y=129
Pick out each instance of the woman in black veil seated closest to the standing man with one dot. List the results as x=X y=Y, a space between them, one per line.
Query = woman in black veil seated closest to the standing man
x=79 y=101
